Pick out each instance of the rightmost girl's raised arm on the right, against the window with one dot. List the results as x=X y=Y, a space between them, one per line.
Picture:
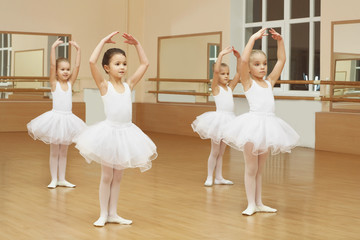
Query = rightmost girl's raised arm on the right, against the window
x=276 y=72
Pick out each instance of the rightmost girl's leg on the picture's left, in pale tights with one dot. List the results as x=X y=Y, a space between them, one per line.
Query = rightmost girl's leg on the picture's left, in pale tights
x=251 y=169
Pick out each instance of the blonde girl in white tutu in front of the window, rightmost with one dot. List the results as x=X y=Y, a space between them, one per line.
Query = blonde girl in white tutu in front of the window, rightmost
x=259 y=131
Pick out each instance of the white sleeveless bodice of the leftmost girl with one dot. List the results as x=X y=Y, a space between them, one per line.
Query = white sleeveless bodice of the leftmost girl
x=62 y=100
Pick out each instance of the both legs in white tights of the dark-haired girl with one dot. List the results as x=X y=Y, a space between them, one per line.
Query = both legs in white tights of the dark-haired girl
x=108 y=195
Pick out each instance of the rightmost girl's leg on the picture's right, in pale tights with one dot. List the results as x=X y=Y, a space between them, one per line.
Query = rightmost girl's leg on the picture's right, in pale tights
x=260 y=207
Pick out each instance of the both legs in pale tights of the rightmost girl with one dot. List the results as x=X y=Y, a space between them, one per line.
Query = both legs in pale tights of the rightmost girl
x=254 y=165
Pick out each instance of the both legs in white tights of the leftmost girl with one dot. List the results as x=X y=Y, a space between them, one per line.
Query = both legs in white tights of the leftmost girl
x=58 y=159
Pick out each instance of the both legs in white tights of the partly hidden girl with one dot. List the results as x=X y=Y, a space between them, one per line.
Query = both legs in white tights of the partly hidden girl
x=215 y=163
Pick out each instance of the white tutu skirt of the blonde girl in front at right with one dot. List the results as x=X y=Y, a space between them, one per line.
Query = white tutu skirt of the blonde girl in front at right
x=263 y=132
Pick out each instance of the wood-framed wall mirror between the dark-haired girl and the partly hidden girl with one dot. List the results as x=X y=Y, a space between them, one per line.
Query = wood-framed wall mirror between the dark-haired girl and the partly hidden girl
x=186 y=62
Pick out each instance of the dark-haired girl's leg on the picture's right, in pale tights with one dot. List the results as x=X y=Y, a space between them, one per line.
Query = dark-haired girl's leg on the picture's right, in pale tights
x=114 y=196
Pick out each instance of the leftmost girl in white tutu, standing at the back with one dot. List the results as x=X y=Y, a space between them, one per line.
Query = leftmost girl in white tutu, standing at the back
x=59 y=126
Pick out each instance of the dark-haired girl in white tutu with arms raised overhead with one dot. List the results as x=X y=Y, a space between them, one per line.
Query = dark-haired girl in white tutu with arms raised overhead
x=115 y=143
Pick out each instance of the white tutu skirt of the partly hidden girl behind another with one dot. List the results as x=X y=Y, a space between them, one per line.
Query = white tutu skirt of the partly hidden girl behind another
x=210 y=125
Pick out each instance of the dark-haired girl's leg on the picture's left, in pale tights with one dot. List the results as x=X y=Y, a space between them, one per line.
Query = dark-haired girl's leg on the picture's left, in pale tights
x=104 y=194
